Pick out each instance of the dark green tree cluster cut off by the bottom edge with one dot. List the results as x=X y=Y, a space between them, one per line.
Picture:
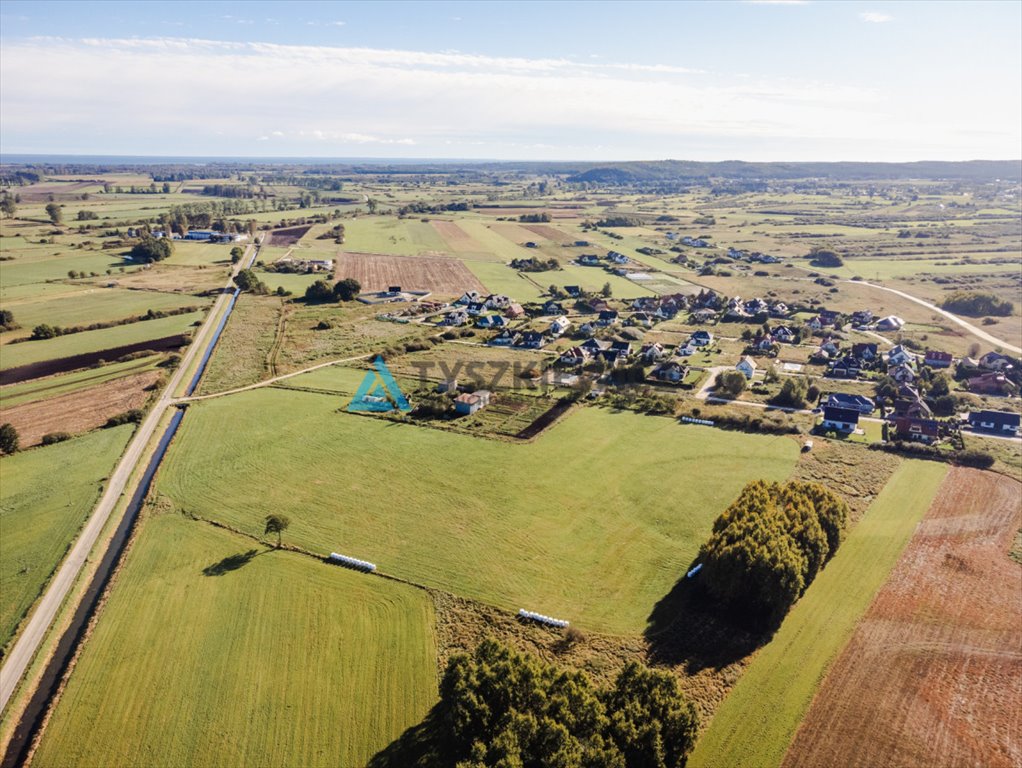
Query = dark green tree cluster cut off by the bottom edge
x=499 y=708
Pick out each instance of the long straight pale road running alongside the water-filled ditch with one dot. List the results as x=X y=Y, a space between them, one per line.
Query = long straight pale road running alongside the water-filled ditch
x=32 y=637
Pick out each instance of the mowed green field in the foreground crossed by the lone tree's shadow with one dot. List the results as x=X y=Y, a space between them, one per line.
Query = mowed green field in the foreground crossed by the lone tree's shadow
x=283 y=661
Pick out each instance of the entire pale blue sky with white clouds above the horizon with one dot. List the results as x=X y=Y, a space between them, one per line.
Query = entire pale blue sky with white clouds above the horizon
x=757 y=80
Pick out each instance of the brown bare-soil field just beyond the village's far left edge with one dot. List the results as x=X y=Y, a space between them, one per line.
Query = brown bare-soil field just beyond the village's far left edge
x=378 y=273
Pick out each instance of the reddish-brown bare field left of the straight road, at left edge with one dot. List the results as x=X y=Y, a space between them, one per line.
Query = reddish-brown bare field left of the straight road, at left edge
x=78 y=412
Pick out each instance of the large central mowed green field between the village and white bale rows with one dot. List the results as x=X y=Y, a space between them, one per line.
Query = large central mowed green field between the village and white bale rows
x=595 y=521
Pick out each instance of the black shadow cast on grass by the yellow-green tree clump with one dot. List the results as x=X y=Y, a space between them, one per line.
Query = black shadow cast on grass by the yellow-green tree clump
x=687 y=627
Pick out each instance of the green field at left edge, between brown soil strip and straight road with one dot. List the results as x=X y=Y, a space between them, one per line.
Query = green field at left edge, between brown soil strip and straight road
x=39 y=517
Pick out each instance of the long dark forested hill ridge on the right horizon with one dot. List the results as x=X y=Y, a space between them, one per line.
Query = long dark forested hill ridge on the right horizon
x=673 y=170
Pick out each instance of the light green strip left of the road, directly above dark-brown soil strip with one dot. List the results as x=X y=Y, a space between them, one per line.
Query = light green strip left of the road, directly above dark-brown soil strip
x=14 y=355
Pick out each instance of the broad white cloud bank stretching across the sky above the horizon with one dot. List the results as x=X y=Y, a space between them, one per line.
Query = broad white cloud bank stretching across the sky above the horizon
x=153 y=96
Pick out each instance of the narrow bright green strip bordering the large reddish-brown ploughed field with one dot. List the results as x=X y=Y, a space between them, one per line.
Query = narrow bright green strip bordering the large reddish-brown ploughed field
x=760 y=717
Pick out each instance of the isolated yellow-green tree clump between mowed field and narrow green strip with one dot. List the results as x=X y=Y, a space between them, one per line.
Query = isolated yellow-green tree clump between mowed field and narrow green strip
x=770 y=545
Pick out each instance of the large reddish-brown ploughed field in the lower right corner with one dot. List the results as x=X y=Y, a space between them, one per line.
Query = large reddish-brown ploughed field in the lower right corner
x=933 y=674
